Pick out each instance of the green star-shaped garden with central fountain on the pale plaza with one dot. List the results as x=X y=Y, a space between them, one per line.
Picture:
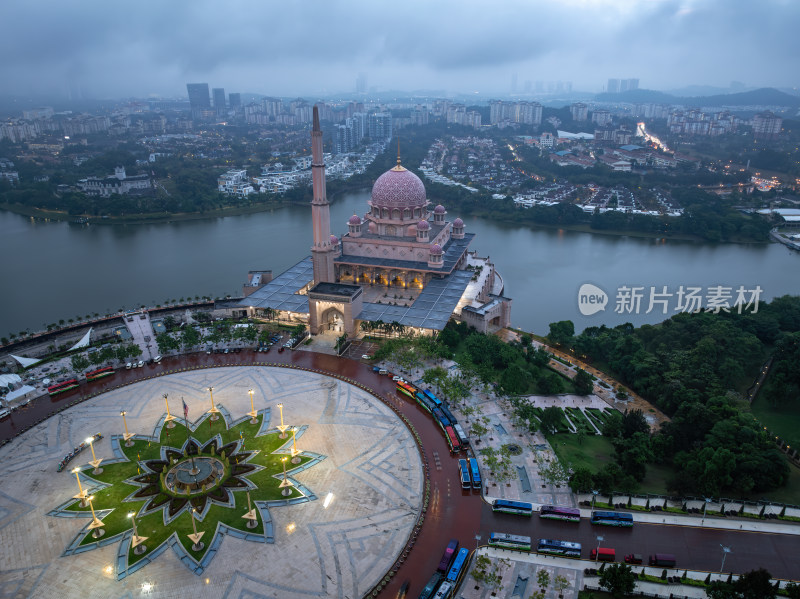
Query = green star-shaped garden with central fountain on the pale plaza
x=187 y=488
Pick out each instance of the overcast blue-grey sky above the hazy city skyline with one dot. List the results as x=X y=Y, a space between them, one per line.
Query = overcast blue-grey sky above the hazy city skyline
x=113 y=48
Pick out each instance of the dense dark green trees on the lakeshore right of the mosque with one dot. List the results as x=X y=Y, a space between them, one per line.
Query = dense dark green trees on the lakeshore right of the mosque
x=694 y=367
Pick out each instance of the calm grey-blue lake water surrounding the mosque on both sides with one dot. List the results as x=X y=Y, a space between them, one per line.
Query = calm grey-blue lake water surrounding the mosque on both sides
x=56 y=270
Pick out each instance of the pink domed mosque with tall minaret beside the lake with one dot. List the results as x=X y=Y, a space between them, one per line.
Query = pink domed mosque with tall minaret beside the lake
x=402 y=261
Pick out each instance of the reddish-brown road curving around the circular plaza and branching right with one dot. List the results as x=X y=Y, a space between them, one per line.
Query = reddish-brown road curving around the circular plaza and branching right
x=453 y=513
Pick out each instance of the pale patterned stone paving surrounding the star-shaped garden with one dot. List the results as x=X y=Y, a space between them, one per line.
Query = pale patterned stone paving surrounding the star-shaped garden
x=372 y=468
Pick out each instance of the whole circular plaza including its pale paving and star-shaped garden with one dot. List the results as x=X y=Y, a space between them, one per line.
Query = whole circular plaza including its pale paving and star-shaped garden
x=323 y=507
